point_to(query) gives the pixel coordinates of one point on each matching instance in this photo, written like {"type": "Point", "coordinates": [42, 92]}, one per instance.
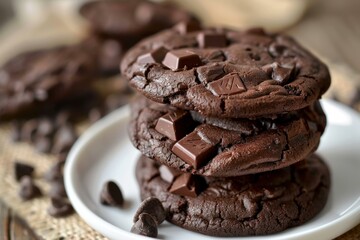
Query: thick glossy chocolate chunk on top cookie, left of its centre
{"type": "Point", "coordinates": [181, 59]}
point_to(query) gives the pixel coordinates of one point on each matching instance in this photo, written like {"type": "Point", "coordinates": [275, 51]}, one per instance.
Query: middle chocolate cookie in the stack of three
{"type": "Point", "coordinates": [224, 147]}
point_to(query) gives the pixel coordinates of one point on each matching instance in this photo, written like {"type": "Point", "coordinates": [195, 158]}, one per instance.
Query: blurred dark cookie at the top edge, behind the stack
{"type": "Point", "coordinates": [132, 20]}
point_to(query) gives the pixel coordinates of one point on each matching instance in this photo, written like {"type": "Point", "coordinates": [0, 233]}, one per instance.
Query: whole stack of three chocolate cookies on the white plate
{"type": "Point", "coordinates": [228, 127]}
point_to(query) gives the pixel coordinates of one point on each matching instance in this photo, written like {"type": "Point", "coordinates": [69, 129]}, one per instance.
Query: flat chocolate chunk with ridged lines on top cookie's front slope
{"type": "Point", "coordinates": [228, 85]}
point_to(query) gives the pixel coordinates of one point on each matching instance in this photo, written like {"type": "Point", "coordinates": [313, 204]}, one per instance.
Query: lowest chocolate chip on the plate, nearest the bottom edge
{"type": "Point", "coordinates": [145, 226]}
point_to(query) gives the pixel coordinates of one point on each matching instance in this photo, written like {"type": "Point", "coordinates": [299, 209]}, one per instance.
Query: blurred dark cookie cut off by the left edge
{"type": "Point", "coordinates": [35, 80]}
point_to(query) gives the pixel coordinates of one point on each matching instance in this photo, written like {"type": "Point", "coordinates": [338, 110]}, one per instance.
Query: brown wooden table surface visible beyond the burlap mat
{"type": "Point", "coordinates": [331, 28]}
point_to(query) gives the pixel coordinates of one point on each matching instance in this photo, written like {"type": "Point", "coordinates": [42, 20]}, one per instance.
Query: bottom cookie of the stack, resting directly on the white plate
{"type": "Point", "coordinates": [255, 204]}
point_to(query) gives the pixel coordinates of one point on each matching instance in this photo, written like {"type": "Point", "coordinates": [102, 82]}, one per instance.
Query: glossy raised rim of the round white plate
{"type": "Point", "coordinates": [351, 218]}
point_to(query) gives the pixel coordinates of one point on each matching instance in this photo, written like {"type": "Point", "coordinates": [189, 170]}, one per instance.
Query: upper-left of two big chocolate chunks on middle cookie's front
{"type": "Point", "coordinates": [175, 125]}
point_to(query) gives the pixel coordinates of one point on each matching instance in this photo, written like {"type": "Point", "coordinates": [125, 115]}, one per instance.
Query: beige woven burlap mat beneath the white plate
{"type": "Point", "coordinates": [34, 212]}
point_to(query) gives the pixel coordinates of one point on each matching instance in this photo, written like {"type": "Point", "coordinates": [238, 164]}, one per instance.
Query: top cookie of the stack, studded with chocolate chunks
{"type": "Point", "coordinates": [225, 73]}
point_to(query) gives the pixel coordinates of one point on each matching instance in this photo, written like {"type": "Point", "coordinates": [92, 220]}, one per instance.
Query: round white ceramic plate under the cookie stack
{"type": "Point", "coordinates": [104, 152]}
